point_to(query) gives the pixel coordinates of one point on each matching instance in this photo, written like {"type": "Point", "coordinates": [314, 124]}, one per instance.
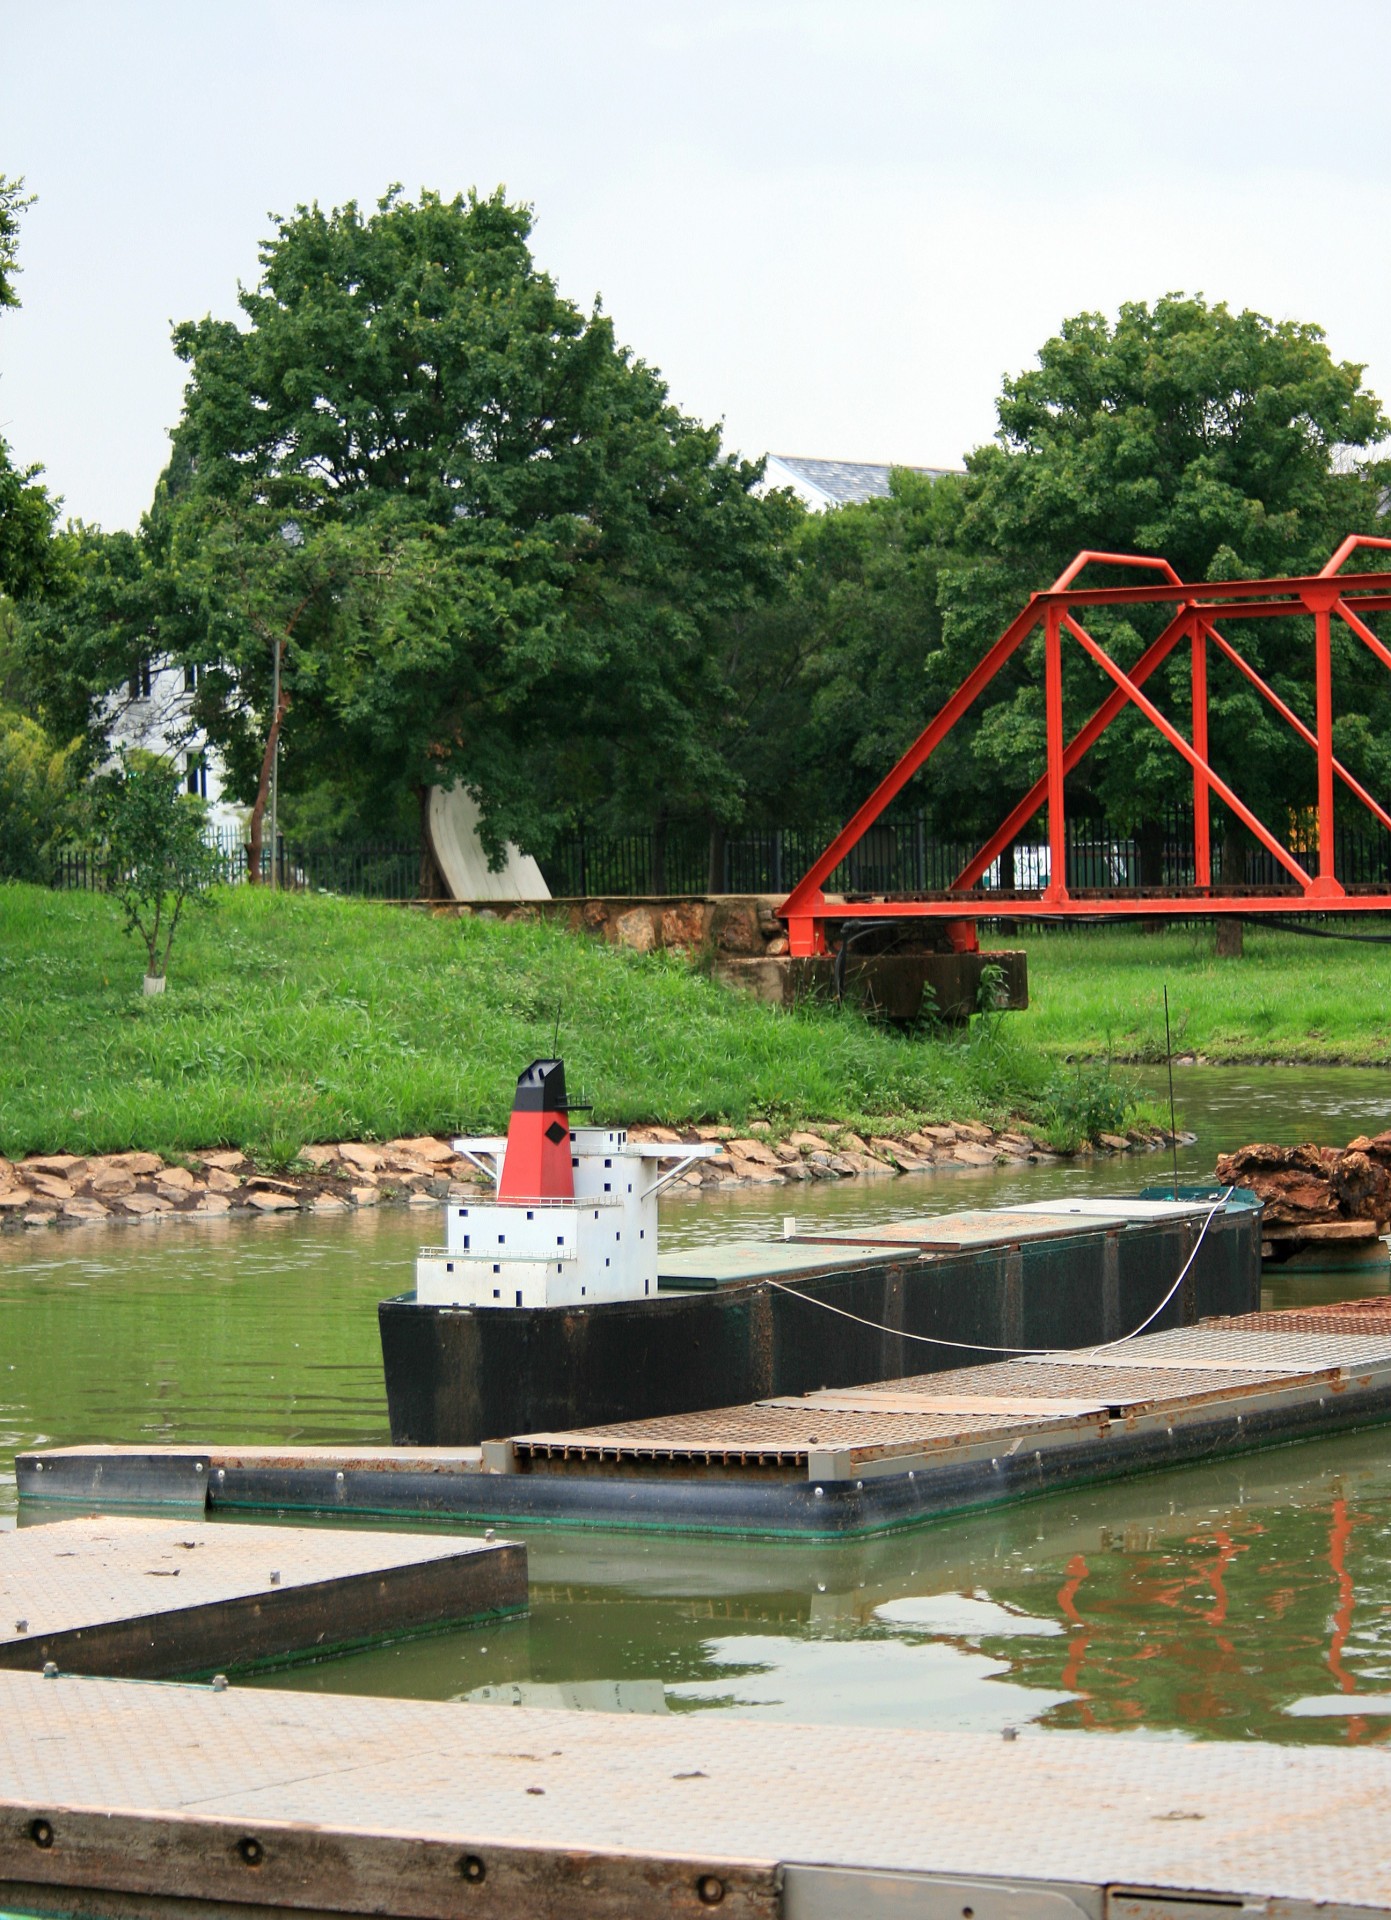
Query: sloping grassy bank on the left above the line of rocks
{"type": "Point", "coordinates": [295, 1020]}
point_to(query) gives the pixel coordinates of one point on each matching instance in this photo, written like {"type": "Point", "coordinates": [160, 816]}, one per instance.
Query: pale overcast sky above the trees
{"type": "Point", "coordinates": [831, 226]}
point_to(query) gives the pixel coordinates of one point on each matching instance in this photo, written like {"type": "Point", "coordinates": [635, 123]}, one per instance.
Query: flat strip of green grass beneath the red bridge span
{"type": "Point", "coordinates": [1102, 996]}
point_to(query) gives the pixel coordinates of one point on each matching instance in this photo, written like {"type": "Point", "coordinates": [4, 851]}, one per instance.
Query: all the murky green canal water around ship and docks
{"type": "Point", "coordinates": [1184, 1604]}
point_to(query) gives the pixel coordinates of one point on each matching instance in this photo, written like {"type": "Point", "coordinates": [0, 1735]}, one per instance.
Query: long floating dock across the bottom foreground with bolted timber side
{"type": "Point", "coordinates": [137, 1798]}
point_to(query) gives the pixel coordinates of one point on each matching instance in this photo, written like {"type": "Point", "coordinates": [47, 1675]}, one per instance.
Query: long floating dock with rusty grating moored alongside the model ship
{"type": "Point", "coordinates": [829, 1464]}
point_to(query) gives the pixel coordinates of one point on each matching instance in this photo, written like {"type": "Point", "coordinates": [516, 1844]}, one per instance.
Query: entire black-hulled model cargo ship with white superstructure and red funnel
{"type": "Point", "coordinates": [552, 1307]}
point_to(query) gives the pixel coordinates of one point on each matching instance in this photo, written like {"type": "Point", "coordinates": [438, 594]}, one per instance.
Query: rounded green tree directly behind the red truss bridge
{"type": "Point", "coordinates": [1221, 441]}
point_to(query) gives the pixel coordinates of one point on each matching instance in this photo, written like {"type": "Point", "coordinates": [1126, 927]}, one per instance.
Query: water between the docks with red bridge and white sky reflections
{"type": "Point", "coordinates": [1186, 1604]}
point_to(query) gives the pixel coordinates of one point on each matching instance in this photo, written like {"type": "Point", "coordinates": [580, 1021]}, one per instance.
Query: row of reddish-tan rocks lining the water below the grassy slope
{"type": "Point", "coordinates": [72, 1189]}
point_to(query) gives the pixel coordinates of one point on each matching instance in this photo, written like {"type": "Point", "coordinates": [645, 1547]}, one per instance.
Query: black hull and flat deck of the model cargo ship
{"type": "Point", "coordinates": [741, 1324]}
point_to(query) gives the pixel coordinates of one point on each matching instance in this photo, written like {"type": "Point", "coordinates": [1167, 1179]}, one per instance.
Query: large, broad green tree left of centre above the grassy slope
{"type": "Point", "coordinates": [464, 525]}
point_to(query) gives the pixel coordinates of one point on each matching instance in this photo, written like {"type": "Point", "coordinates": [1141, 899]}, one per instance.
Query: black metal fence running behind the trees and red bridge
{"type": "Point", "coordinates": [894, 857]}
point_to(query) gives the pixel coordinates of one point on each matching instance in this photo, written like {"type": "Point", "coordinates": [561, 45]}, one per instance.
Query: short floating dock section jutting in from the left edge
{"type": "Point", "coordinates": [159, 1598]}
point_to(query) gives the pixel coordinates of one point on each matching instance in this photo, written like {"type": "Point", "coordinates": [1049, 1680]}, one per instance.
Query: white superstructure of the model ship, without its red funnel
{"type": "Point", "coordinates": [602, 1245]}
